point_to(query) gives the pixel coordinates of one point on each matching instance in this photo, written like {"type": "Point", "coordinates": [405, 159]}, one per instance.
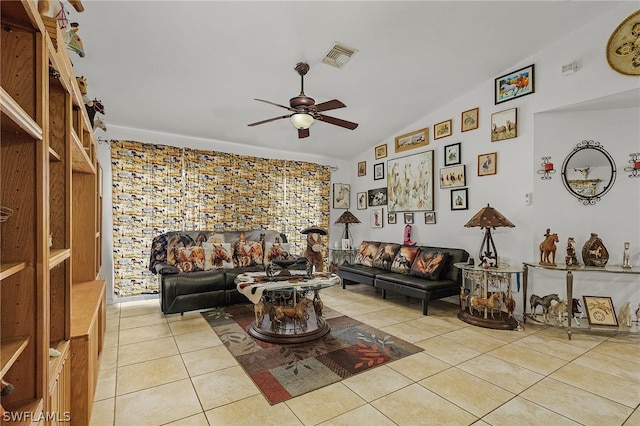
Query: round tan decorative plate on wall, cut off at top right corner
{"type": "Point", "coordinates": [623, 48]}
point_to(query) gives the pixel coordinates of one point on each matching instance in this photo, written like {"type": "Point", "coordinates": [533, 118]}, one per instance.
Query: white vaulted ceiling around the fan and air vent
{"type": "Point", "coordinates": [193, 67]}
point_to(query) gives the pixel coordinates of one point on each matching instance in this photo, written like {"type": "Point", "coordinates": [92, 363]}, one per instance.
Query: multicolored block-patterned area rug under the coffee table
{"type": "Point", "coordinates": [286, 371]}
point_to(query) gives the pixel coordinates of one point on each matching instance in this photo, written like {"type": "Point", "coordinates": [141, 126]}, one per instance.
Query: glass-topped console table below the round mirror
{"type": "Point", "coordinates": [613, 269]}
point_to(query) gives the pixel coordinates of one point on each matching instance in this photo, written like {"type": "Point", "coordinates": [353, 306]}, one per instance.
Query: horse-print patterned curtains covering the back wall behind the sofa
{"type": "Point", "coordinates": [158, 188]}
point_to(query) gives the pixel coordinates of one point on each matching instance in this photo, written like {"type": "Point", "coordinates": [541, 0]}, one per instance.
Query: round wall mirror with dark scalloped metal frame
{"type": "Point", "coordinates": [588, 172]}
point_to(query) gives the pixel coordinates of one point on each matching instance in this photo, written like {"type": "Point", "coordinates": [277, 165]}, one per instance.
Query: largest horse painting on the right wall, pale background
{"type": "Point", "coordinates": [410, 182]}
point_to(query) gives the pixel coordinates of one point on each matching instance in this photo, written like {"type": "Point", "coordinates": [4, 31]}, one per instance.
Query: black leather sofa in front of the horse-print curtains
{"type": "Point", "coordinates": [197, 269]}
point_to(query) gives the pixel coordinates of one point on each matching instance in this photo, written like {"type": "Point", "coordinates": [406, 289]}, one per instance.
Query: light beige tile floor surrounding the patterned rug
{"type": "Point", "coordinates": [174, 370]}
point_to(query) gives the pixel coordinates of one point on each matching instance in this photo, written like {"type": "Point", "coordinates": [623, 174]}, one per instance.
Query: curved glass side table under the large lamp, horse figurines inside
{"type": "Point", "coordinates": [477, 283]}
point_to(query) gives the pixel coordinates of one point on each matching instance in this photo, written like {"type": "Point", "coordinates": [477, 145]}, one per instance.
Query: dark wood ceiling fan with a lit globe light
{"type": "Point", "coordinates": [305, 111]}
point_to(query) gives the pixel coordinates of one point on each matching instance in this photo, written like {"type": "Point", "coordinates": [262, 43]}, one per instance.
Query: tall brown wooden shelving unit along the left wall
{"type": "Point", "coordinates": [49, 246]}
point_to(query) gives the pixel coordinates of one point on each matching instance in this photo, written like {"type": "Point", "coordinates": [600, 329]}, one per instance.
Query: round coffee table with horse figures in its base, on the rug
{"type": "Point", "coordinates": [288, 309]}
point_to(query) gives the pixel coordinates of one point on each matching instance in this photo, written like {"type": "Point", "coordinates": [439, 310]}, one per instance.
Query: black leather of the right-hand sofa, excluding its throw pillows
{"type": "Point", "coordinates": [381, 275]}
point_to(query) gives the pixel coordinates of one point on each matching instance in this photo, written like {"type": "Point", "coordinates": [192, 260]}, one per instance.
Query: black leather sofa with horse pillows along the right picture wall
{"type": "Point", "coordinates": [423, 272]}
